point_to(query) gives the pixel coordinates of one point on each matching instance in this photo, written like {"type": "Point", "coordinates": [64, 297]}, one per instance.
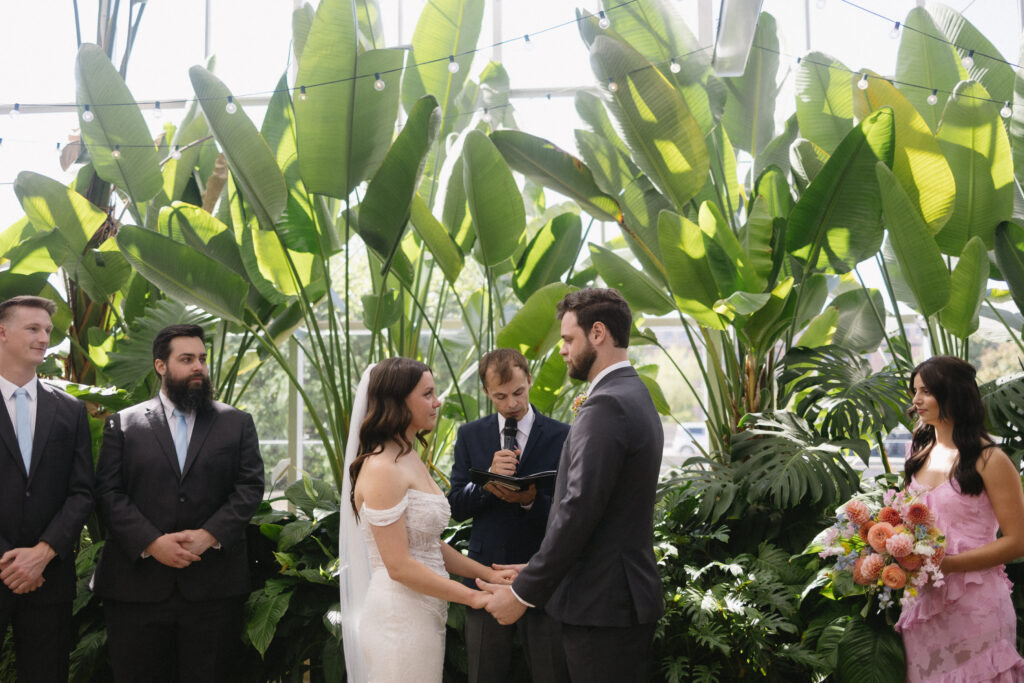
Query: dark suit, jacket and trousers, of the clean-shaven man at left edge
{"type": "Point", "coordinates": [50, 503]}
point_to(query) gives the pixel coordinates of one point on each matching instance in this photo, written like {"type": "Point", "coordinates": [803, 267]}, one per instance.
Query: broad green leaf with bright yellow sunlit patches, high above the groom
{"type": "Point", "coordinates": [665, 139]}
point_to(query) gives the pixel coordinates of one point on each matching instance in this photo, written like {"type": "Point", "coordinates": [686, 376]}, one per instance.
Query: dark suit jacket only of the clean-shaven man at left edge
{"type": "Point", "coordinates": [54, 500]}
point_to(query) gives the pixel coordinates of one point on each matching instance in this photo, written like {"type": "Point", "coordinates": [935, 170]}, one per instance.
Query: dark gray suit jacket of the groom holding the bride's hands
{"type": "Point", "coordinates": [596, 565]}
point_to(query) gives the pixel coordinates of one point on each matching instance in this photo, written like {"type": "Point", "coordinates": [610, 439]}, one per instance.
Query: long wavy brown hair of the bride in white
{"type": "Point", "coordinates": [388, 418]}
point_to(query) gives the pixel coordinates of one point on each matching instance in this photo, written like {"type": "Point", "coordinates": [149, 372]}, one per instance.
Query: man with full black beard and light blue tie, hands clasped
{"type": "Point", "coordinates": [179, 480]}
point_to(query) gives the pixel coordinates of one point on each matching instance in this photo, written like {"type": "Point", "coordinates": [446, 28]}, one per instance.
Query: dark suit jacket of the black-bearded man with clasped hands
{"type": "Point", "coordinates": [142, 496]}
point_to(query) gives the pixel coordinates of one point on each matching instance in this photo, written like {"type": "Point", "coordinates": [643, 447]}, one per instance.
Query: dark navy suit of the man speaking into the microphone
{"type": "Point", "coordinates": [506, 534]}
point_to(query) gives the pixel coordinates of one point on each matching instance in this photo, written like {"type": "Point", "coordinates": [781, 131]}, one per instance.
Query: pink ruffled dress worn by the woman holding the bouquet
{"type": "Point", "coordinates": [964, 631]}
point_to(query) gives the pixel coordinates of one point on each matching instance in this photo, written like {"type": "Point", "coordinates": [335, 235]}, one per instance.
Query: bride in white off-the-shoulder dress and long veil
{"type": "Point", "coordinates": [395, 568]}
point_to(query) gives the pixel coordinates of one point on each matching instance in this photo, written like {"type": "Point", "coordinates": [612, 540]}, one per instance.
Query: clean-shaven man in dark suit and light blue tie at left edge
{"type": "Point", "coordinates": [46, 495]}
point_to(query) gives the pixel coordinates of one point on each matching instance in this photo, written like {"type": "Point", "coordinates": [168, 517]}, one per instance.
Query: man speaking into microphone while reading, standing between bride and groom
{"type": "Point", "coordinates": [508, 526]}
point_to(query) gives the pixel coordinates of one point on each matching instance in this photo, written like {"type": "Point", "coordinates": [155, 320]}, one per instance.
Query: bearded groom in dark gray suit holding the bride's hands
{"type": "Point", "coordinates": [595, 571]}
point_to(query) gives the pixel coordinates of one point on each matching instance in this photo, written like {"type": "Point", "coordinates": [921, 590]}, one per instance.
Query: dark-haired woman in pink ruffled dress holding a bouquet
{"type": "Point", "coordinates": [964, 630]}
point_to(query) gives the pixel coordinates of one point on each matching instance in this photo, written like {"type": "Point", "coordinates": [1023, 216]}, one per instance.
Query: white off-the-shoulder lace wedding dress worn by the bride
{"type": "Point", "coordinates": [402, 632]}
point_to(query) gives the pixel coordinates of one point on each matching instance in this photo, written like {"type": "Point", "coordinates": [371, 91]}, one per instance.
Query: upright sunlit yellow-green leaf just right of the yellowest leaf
{"type": "Point", "coordinates": [975, 143]}
